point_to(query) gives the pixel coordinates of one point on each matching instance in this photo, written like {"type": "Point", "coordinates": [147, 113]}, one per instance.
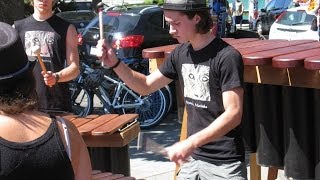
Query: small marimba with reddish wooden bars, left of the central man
{"type": "Point", "coordinates": [107, 137]}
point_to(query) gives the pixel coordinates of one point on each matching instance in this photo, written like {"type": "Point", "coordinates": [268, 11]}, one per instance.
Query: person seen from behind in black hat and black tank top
{"type": "Point", "coordinates": [33, 145]}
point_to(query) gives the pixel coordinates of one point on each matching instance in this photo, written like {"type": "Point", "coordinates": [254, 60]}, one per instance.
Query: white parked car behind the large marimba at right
{"type": "Point", "coordinates": [295, 24]}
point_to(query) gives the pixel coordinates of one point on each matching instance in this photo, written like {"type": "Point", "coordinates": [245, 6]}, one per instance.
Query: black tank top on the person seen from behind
{"type": "Point", "coordinates": [44, 158]}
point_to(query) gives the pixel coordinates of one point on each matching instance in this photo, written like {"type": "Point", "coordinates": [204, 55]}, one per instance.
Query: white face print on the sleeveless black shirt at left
{"type": "Point", "coordinates": [43, 39]}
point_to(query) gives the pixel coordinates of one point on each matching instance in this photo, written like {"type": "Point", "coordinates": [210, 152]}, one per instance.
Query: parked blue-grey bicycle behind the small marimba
{"type": "Point", "coordinates": [116, 97]}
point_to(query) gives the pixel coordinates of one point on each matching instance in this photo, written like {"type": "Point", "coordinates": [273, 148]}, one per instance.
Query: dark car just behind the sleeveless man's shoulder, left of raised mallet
{"type": "Point", "coordinates": [80, 19]}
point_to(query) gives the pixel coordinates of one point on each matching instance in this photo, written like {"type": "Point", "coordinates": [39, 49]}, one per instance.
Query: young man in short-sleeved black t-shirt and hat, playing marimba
{"type": "Point", "coordinates": [210, 73]}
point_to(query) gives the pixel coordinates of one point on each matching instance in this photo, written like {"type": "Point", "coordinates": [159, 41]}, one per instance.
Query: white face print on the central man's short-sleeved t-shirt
{"type": "Point", "coordinates": [196, 82]}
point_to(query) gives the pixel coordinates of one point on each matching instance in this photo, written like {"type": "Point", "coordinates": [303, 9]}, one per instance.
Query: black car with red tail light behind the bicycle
{"type": "Point", "coordinates": [129, 29]}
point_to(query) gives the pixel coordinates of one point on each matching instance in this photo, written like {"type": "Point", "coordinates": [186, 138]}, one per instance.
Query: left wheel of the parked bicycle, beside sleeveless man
{"type": "Point", "coordinates": [81, 99]}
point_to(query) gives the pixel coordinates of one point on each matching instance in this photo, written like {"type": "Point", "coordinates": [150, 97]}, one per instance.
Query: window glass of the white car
{"type": "Point", "coordinates": [295, 18]}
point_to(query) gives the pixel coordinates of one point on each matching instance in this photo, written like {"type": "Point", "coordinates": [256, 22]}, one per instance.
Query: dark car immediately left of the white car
{"type": "Point", "coordinates": [269, 14]}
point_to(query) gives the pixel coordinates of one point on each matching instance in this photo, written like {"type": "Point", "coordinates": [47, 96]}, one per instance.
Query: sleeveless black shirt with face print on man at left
{"type": "Point", "coordinates": [50, 36]}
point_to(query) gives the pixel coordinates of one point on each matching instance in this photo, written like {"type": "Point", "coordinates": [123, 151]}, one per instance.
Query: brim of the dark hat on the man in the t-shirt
{"type": "Point", "coordinates": [185, 7]}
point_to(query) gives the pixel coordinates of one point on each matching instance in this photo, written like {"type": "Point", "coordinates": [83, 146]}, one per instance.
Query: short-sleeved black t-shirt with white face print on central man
{"type": "Point", "coordinates": [204, 75]}
